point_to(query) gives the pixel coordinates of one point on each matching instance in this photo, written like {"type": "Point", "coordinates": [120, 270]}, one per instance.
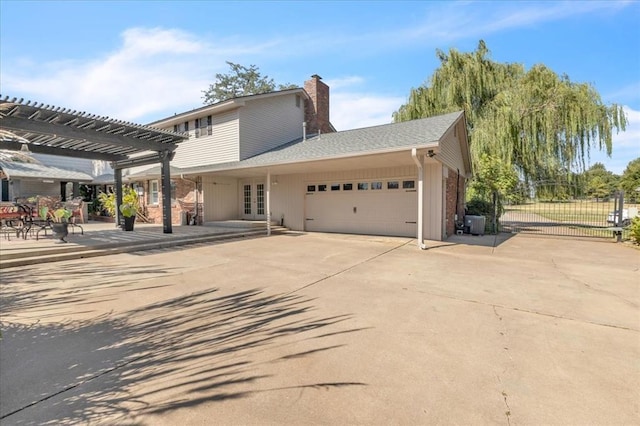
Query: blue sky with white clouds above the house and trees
{"type": "Point", "coordinates": [144, 61]}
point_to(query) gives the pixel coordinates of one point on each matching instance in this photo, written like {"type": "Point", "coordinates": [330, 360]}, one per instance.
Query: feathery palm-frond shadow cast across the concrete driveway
{"type": "Point", "coordinates": [198, 348]}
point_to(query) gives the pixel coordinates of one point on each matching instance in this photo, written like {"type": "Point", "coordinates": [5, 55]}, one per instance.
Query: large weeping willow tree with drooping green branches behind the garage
{"type": "Point", "coordinates": [536, 121]}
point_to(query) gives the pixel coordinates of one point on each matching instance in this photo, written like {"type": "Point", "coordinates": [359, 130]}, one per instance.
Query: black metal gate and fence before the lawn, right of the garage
{"type": "Point", "coordinates": [560, 210]}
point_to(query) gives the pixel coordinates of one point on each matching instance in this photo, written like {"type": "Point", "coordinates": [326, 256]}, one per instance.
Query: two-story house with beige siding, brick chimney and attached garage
{"type": "Point", "coordinates": [277, 157]}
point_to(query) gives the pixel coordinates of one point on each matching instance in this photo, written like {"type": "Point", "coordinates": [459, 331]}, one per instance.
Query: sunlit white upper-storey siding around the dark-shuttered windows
{"type": "Point", "coordinates": [220, 147]}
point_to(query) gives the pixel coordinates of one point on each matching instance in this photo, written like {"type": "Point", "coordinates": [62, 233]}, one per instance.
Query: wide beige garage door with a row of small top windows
{"type": "Point", "coordinates": [374, 207]}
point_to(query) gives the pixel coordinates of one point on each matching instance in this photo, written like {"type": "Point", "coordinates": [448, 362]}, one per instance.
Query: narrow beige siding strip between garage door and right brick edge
{"type": "Point", "coordinates": [433, 194]}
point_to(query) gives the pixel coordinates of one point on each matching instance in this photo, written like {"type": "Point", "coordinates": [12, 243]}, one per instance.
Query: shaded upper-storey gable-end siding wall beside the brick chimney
{"type": "Point", "coordinates": [268, 123]}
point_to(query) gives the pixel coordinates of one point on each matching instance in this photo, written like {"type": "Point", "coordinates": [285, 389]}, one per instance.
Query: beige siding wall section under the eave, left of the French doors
{"type": "Point", "coordinates": [220, 198]}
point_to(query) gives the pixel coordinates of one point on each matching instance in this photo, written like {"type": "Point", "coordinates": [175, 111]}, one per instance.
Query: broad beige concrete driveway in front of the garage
{"type": "Point", "coordinates": [327, 329]}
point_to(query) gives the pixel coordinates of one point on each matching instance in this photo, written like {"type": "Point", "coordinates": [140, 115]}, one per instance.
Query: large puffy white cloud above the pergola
{"type": "Point", "coordinates": [155, 72]}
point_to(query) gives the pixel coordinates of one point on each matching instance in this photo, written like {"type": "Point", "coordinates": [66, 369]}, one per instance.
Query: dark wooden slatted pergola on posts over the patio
{"type": "Point", "coordinates": [53, 130]}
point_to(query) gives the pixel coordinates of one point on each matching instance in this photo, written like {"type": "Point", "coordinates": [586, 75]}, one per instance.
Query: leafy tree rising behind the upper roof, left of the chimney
{"type": "Point", "coordinates": [240, 81]}
